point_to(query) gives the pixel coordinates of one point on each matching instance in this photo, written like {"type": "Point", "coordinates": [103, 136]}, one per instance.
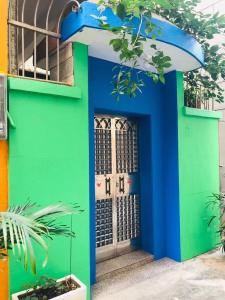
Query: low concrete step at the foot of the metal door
{"type": "Point", "coordinates": [123, 263]}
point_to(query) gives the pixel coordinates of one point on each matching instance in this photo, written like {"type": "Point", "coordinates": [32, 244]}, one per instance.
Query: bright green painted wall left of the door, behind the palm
{"type": "Point", "coordinates": [49, 162]}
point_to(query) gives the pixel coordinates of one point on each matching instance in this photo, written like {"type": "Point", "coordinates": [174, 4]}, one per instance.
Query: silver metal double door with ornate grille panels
{"type": "Point", "coordinates": [116, 186]}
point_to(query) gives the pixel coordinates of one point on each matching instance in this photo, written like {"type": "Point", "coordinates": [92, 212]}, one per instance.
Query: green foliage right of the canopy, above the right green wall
{"type": "Point", "coordinates": [202, 84]}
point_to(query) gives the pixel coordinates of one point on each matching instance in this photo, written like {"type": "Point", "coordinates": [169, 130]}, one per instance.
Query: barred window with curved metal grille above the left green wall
{"type": "Point", "coordinates": [35, 47]}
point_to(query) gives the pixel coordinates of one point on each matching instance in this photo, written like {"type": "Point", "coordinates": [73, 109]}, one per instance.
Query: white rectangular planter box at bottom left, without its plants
{"type": "Point", "coordinates": [78, 294]}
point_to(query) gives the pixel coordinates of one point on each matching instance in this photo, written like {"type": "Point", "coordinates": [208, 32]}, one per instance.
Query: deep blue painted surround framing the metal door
{"type": "Point", "coordinates": [156, 110]}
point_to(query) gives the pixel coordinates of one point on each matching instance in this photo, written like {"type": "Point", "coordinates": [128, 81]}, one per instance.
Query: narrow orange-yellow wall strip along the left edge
{"type": "Point", "coordinates": [3, 144]}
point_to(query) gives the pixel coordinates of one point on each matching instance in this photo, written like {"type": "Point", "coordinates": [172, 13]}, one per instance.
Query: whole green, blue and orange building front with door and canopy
{"type": "Point", "coordinates": [140, 169]}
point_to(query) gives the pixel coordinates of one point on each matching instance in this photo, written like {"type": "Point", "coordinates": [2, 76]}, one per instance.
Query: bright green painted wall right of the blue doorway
{"type": "Point", "coordinates": [198, 176]}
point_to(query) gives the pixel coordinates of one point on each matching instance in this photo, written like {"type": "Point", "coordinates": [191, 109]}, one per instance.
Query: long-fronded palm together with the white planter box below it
{"type": "Point", "coordinates": [20, 226]}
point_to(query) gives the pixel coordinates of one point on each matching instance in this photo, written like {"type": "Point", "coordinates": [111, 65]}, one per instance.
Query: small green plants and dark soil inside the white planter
{"type": "Point", "coordinates": [47, 288]}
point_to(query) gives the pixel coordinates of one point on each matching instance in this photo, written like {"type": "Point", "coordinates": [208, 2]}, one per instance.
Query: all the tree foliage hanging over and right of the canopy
{"type": "Point", "coordinates": [129, 43]}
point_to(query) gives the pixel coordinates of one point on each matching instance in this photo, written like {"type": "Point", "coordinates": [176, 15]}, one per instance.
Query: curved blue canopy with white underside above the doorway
{"type": "Point", "coordinates": [186, 53]}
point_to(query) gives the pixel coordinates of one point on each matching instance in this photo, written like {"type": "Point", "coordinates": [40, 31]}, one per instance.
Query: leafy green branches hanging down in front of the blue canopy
{"type": "Point", "coordinates": [129, 44]}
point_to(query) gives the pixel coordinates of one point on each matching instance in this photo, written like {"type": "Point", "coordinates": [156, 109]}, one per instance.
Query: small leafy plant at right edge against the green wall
{"type": "Point", "coordinates": [217, 202]}
